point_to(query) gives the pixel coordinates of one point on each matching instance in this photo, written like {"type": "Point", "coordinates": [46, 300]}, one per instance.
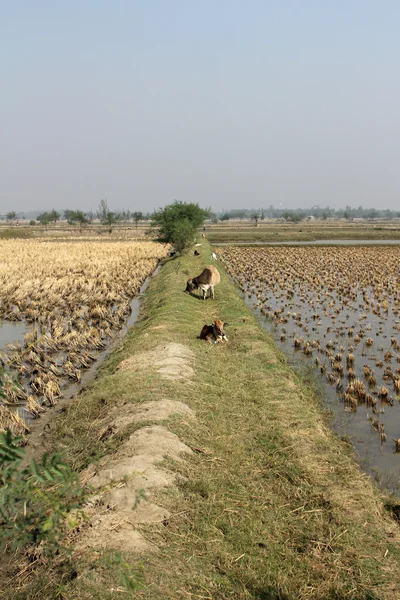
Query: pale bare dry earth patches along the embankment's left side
{"type": "Point", "coordinates": [134, 471]}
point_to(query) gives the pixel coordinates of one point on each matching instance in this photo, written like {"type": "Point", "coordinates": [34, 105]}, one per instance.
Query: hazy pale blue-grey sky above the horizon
{"type": "Point", "coordinates": [228, 103]}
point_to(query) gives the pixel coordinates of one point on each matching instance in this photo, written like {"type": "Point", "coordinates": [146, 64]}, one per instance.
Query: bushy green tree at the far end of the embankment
{"type": "Point", "coordinates": [177, 223]}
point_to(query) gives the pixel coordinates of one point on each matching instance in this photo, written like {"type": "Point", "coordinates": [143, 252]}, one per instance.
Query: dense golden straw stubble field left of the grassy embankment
{"type": "Point", "coordinates": [73, 296]}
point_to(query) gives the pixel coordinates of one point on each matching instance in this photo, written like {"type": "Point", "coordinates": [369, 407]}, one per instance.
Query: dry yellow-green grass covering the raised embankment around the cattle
{"type": "Point", "coordinates": [270, 504]}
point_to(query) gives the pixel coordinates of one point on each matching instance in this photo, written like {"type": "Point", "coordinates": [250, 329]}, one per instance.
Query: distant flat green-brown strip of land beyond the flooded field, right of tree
{"type": "Point", "coordinates": [302, 232]}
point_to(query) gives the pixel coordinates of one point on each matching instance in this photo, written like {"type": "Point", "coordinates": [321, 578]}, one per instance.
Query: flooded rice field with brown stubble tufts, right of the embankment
{"type": "Point", "coordinates": [337, 309]}
